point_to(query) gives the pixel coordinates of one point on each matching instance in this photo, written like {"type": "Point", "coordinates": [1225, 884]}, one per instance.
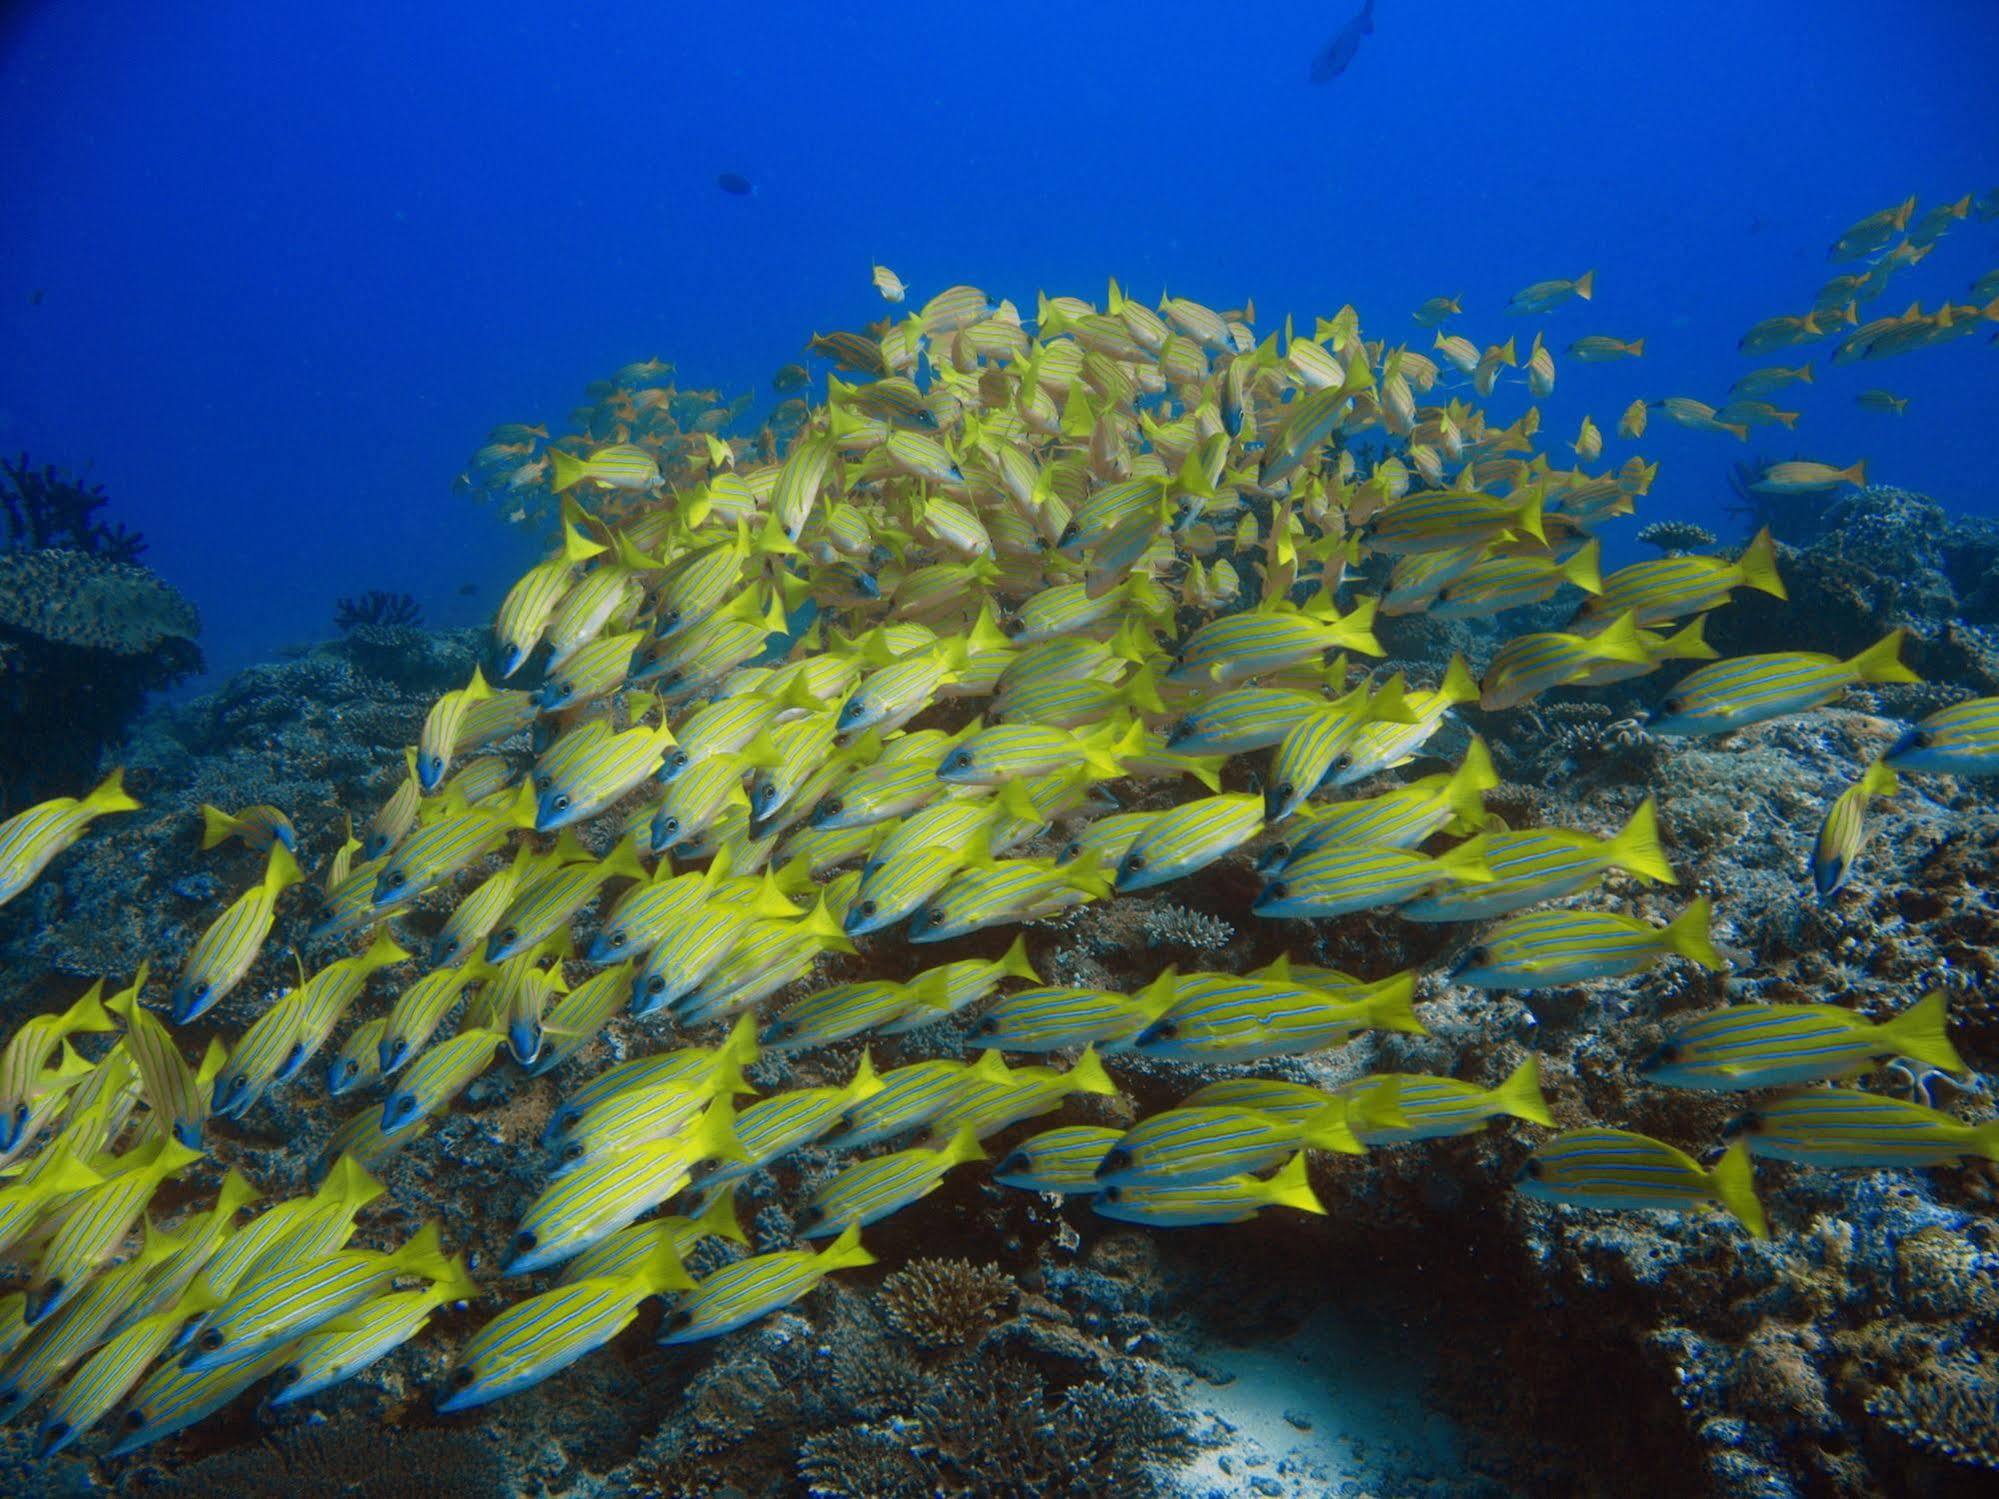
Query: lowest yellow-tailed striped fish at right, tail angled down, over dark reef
{"type": "Point", "coordinates": [1616, 1168]}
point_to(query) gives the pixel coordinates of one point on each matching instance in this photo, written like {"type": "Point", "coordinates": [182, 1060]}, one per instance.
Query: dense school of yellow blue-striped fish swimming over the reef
{"type": "Point", "coordinates": [1002, 629]}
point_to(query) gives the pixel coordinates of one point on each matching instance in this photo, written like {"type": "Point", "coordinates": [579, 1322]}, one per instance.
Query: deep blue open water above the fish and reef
{"type": "Point", "coordinates": [295, 261]}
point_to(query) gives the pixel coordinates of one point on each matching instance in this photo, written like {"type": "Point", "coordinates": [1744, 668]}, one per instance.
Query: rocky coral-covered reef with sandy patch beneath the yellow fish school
{"type": "Point", "coordinates": [1434, 1336]}
